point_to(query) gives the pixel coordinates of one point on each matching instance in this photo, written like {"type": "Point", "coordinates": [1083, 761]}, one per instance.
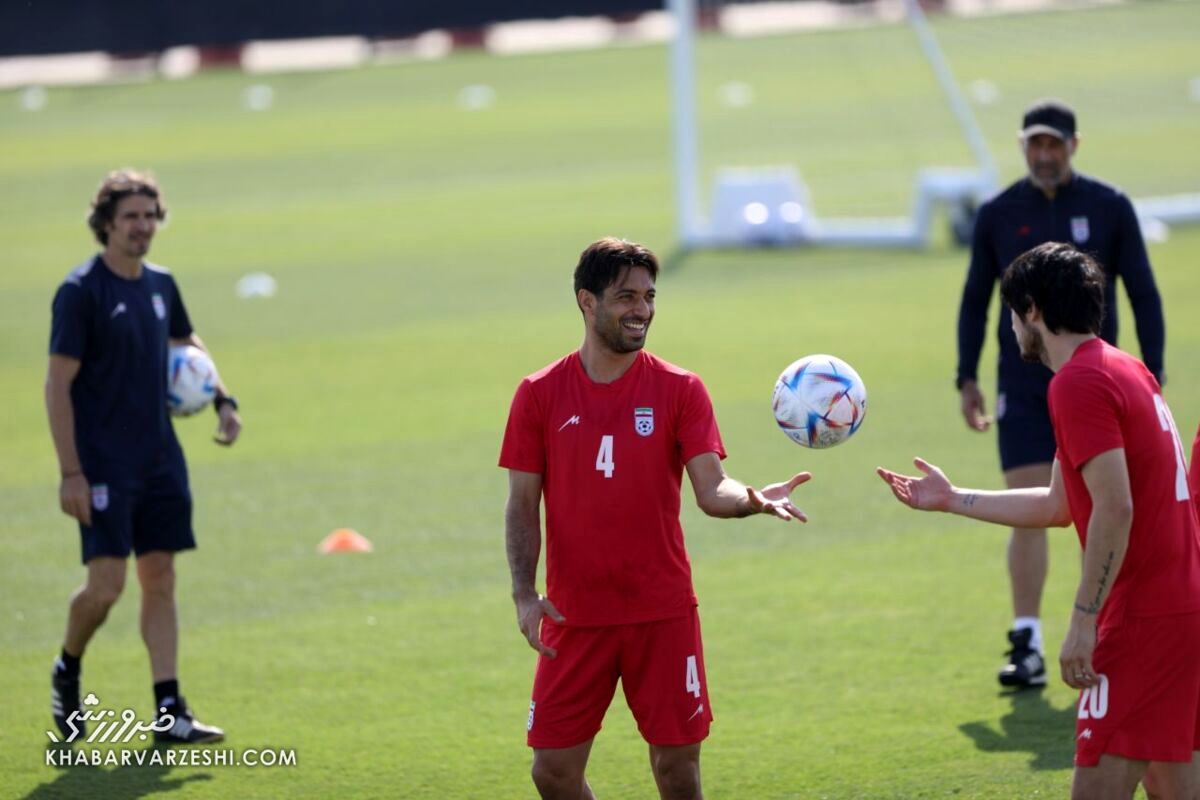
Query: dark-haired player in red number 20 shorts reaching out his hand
{"type": "Point", "coordinates": [1133, 645]}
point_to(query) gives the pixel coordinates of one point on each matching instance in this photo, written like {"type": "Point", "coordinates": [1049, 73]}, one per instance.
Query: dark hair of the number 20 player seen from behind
{"type": "Point", "coordinates": [1066, 286]}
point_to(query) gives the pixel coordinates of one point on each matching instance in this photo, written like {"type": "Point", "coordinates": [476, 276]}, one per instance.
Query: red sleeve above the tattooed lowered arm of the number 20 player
{"type": "Point", "coordinates": [1088, 417]}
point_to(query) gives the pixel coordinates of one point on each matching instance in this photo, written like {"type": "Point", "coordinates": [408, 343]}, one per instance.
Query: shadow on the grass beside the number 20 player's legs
{"type": "Point", "coordinates": [1033, 726]}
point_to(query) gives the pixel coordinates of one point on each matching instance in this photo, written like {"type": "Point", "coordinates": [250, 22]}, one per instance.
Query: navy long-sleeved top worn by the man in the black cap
{"type": "Point", "coordinates": [1094, 216]}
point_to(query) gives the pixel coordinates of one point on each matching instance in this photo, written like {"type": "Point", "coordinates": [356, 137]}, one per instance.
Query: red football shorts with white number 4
{"type": "Point", "coordinates": [661, 666]}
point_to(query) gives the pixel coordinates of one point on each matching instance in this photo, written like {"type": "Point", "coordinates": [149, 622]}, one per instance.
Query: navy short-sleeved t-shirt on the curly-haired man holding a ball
{"type": "Point", "coordinates": [119, 329]}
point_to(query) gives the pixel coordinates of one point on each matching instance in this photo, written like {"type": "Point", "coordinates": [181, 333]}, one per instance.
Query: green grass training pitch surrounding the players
{"type": "Point", "coordinates": [424, 258]}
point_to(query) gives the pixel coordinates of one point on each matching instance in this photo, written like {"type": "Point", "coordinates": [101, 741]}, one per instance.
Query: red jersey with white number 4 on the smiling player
{"type": "Point", "coordinates": [611, 458]}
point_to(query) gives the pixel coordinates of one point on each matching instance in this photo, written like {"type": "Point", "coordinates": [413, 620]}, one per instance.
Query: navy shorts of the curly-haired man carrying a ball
{"type": "Point", "coordinates": [140, 515]}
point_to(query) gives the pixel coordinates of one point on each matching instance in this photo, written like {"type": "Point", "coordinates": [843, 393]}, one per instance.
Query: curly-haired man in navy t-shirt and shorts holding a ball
{"type": "Point", "coordinates": [124, 477]}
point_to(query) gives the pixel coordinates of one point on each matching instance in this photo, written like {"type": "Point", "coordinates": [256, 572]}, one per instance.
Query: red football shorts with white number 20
{"type": "Point", "coordinates": [1148, 705]}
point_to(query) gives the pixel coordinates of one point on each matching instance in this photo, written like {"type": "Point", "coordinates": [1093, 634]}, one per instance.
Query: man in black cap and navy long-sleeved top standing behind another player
{"type": "Point", "coordinates": [1053, 203]}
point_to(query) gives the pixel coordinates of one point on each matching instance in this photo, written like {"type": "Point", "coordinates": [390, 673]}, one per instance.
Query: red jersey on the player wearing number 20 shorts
{"type": "Point", "coordinates": [1101, 400]}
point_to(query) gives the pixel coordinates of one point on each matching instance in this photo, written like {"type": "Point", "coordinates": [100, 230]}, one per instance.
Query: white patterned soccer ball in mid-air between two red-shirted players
{"type": "Point", "coordinates": [820, 401]}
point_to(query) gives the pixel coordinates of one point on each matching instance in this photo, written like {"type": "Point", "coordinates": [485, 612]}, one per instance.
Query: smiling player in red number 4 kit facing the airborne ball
{"type": "Point", "coordinates": [603, 436]}
